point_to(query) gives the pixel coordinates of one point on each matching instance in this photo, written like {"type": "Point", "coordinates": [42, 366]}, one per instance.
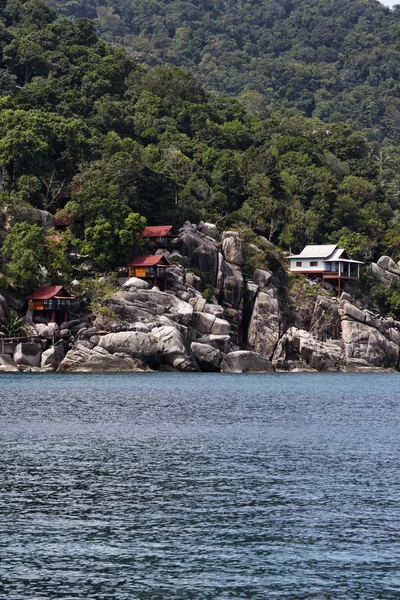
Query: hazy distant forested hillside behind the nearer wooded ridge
{"type": "Point", "coordinates": [338, 60]}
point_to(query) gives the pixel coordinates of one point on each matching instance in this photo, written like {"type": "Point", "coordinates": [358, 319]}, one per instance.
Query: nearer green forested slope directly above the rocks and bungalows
{"type": "Point", "coordinates": [87, 131]}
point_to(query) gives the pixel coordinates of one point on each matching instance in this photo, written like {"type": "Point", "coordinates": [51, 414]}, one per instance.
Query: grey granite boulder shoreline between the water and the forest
{"type": "Point", "coordinates": [243, 323]}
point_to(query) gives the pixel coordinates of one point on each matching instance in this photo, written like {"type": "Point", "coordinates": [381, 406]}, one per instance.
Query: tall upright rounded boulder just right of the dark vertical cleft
{"type": "Point", "coordinates": [264, 327]}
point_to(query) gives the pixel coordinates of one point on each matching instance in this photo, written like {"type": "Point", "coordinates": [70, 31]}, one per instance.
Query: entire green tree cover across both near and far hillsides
{"type": "Point", "coordinates": [86, 131]}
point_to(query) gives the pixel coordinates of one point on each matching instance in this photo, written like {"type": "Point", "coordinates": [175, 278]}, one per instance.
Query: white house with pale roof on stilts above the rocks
{"type": "Point", "coordinates": [325, 262]}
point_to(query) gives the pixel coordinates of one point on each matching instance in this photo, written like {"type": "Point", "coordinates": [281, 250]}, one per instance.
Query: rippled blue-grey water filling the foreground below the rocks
{"type": "Point", "coordinates": [159, 486]}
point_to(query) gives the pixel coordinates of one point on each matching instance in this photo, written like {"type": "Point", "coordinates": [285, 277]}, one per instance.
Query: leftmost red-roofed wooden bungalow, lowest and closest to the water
{"type": "Point", "coordinates": [51, 302]}
